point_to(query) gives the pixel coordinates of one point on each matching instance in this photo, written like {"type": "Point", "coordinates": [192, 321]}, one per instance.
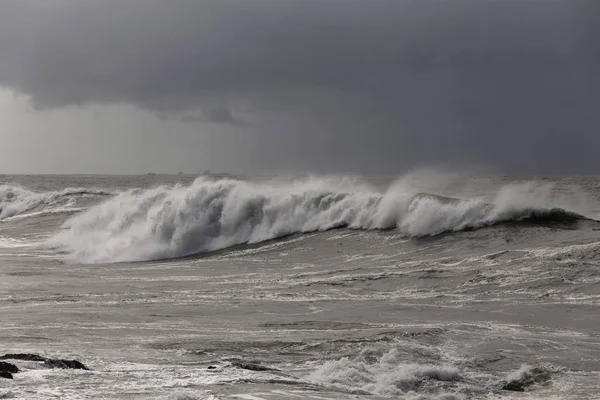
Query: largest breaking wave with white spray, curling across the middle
{"type": "Point", "coordinates": [168, 222]}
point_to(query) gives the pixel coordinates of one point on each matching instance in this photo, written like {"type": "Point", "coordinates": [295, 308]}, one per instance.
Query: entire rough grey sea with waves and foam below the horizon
{"type": "Point", "coordinates": [429, 286]}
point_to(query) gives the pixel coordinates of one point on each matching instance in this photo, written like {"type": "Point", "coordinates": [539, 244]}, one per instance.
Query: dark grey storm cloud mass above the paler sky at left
{"type": "Point", "coordinates": [481, 80]}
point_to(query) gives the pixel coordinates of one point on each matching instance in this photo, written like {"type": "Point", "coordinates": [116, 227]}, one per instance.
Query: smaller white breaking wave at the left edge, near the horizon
{"type": "Point", "coordinates": [16, 200]}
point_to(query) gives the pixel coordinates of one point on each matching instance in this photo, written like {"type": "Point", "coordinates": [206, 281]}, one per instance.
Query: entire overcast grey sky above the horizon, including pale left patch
{"type": "Point", "coordinates": [249, 86]}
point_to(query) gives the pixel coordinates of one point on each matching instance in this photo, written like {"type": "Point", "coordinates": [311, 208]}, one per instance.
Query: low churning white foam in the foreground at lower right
{"type": "Point", "coordinates": [386, 374]}
